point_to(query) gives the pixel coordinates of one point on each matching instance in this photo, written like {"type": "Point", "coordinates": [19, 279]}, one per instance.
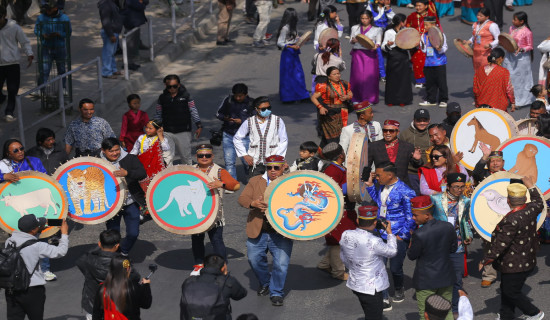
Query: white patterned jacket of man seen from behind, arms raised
{"type": "Point", "coordinates": [363, 254]}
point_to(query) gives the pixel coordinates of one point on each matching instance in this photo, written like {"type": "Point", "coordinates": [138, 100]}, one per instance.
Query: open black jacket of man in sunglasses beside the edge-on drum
{"type": "Point", "coordinates": [378, 154]}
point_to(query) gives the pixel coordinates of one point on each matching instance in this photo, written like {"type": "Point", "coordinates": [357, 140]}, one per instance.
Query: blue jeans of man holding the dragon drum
{"type": "Point", "coordinates": [281, 249]}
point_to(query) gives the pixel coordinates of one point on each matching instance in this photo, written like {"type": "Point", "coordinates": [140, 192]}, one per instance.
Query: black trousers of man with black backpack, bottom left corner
{"type": "Point", "coordinates": [29, 303]}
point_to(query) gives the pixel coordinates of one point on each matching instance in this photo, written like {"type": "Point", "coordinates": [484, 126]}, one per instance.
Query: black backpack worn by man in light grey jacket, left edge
{"type": "Point", "coordinates": [14, 275]}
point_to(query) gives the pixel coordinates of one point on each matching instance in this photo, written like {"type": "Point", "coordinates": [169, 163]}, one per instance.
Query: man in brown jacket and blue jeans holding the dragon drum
{"type": "Point", "coordinates": [261, 235]}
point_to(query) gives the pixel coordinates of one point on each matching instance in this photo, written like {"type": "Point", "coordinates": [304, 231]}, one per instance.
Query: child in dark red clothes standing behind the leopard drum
{"type": "Point", "coordinates": [133, 122]}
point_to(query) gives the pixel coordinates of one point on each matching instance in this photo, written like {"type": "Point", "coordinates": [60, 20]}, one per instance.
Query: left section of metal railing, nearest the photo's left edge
{"type": "Point", "coordinates": [61, 99]}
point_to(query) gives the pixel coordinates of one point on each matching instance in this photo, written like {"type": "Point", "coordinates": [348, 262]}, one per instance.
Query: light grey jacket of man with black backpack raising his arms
{"type": "Point", "coordinates": [33, 253]}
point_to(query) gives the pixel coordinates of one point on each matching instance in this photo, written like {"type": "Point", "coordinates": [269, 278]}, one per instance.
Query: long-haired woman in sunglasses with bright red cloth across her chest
{"type": "Point", "coordinates": [434, 175]}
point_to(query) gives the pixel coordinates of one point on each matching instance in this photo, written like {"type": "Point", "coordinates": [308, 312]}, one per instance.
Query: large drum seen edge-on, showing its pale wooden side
{"type": "Point", "coordinates": [356, 160]}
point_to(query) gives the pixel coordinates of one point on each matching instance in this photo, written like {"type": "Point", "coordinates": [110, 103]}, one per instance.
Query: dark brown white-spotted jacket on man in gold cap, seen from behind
{"type": "Point", "coordinates": [514, 242]}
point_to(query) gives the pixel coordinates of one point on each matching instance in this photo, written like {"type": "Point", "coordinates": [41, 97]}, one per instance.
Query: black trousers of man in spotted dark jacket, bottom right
{"type": "Point", "coordinates": [511, 296]}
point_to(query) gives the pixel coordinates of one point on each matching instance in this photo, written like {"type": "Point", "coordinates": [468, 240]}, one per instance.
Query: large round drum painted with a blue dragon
{"type": "Point", "coordinates": [304, 205]}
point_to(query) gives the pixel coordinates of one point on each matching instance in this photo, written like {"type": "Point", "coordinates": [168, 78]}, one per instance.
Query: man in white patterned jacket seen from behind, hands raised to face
{"type": "Point", "coordinates": [363, 252]}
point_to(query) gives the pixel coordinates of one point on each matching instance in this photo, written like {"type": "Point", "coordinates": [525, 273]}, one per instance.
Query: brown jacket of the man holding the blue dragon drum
{"type": "Point", "coordinates": [256, 218]}
